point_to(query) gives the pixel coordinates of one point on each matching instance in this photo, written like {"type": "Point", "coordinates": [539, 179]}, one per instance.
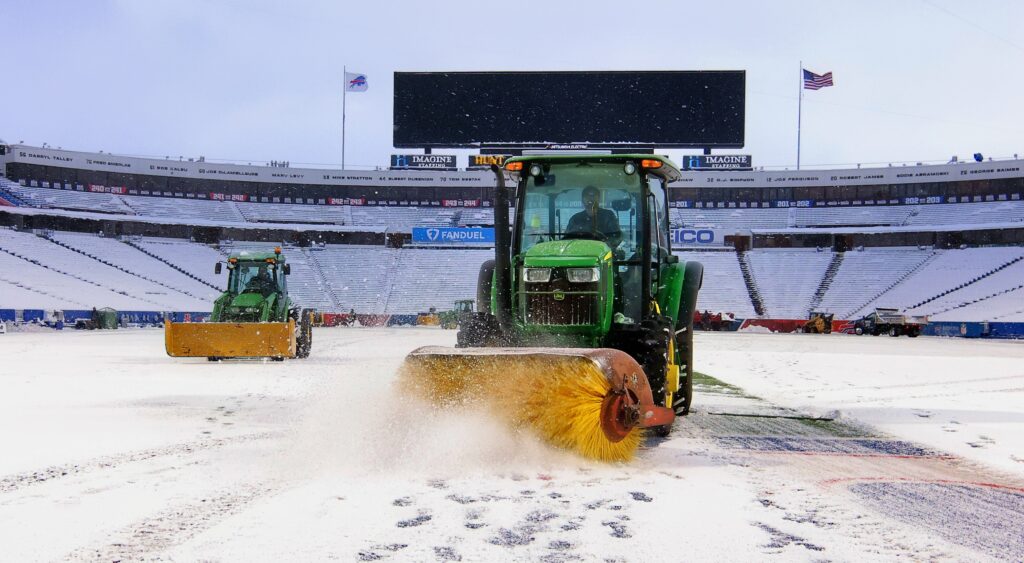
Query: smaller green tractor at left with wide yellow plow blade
{"type": "Point", "coordinates": [254, 318]}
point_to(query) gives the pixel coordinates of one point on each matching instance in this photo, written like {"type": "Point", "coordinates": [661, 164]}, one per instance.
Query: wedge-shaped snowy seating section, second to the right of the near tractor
{"type": "Point", "coordinates": [788, 279]}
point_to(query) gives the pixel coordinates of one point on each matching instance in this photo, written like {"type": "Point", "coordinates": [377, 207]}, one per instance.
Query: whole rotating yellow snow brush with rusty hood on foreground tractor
{"type": "Point", "coordinates": [592, 402]}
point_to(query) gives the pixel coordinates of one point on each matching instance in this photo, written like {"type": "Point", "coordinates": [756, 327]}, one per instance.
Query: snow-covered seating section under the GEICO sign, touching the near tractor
{"type": "Point", "coordinates": [724, 290]}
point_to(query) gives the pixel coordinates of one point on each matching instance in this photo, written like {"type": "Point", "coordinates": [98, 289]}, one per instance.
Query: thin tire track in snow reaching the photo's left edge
{"type": "Point", "coordinates": [21, 481]}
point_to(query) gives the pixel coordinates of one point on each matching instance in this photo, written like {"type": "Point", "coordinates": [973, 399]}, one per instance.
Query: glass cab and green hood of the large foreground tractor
{"type": "Point", "coordinates": [590, 240]}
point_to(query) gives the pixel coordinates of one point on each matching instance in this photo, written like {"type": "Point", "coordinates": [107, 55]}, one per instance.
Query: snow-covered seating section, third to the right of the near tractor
{"type": "Point", "coordinates": [866, 275]}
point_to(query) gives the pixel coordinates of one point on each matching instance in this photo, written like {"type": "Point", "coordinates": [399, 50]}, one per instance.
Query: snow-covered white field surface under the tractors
{"type": "Point", "coordinates": [112, 451]}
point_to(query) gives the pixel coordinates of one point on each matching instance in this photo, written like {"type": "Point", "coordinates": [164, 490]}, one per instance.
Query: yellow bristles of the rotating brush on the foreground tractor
{"type": "Point", "coordinates": [560, 399]}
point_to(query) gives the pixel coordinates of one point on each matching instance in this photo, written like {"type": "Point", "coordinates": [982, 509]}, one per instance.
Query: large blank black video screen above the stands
{"type": "Point", "coordinates": [676, 109]}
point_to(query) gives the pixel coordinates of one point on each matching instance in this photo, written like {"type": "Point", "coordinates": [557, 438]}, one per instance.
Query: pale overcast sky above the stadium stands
{"type": "Point", "coordinates": [253, 81]}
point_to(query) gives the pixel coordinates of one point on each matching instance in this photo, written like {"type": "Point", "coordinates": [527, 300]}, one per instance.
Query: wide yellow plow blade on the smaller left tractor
{"type": "Point", "coordinates": [230, 339]}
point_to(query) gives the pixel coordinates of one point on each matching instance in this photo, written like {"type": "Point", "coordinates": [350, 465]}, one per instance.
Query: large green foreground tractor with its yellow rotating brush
{"type": "Point", "coordinates": [584, 322]}
